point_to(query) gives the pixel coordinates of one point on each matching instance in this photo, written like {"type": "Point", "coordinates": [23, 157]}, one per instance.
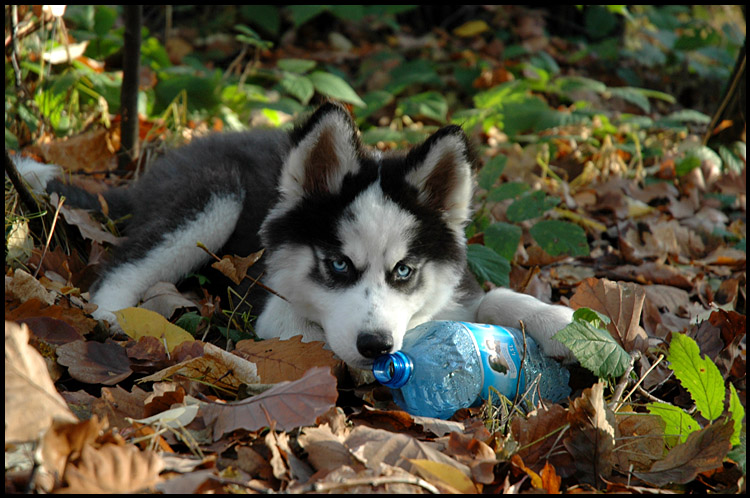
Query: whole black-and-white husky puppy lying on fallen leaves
{"type": "Point", "coordinates": [361, 245]}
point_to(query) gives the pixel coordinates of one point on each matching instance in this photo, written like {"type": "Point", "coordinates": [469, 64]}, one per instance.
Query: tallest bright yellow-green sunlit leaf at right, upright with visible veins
{"type": "Point", "coordinates": [699, 376]}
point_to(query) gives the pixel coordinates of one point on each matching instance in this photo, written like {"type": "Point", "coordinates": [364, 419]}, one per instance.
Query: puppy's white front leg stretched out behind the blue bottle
{"type": "Point", "coordinates": [541, 321]}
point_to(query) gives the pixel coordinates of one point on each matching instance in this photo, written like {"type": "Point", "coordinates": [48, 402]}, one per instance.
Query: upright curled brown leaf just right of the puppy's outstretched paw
{"type": "Point", "coordinates": [621, 302]}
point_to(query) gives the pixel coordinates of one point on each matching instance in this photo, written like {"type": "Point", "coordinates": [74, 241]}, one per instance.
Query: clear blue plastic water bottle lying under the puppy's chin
{"type": "Point", "coordinates": [443, 366]}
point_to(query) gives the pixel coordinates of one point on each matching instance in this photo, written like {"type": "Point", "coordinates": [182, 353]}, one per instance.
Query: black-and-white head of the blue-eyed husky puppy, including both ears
{"type": "Point", "coordinates": [363, 244]}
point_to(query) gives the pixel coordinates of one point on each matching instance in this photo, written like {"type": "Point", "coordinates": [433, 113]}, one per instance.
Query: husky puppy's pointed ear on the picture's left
{"type": "Point", "coordinates": [324, 150]}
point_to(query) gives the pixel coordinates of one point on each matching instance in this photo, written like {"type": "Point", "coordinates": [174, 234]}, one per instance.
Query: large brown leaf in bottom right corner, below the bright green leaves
{"type": "Point", "coordinates": [703, 450]}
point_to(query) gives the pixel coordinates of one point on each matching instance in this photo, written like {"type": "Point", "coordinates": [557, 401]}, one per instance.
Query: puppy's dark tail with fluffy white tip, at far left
{"type": "Point", "coordinates": [48, 178]}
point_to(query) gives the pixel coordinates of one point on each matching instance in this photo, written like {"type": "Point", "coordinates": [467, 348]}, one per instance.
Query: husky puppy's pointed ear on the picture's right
{"type": "Point", "coordinates": [440, 169]}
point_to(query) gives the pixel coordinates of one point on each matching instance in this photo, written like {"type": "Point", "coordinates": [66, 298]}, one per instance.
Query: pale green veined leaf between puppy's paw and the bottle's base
{"type": "Point", "coordinates": [594, 348]}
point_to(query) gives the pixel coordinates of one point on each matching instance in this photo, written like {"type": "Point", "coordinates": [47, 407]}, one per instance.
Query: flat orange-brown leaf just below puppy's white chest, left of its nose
{"type": "Point", "coordinates": [279, 360]}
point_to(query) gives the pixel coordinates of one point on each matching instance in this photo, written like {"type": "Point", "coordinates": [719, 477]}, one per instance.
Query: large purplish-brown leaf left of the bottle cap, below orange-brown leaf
{"type": "Point", "coordinates": [290, 404]}
